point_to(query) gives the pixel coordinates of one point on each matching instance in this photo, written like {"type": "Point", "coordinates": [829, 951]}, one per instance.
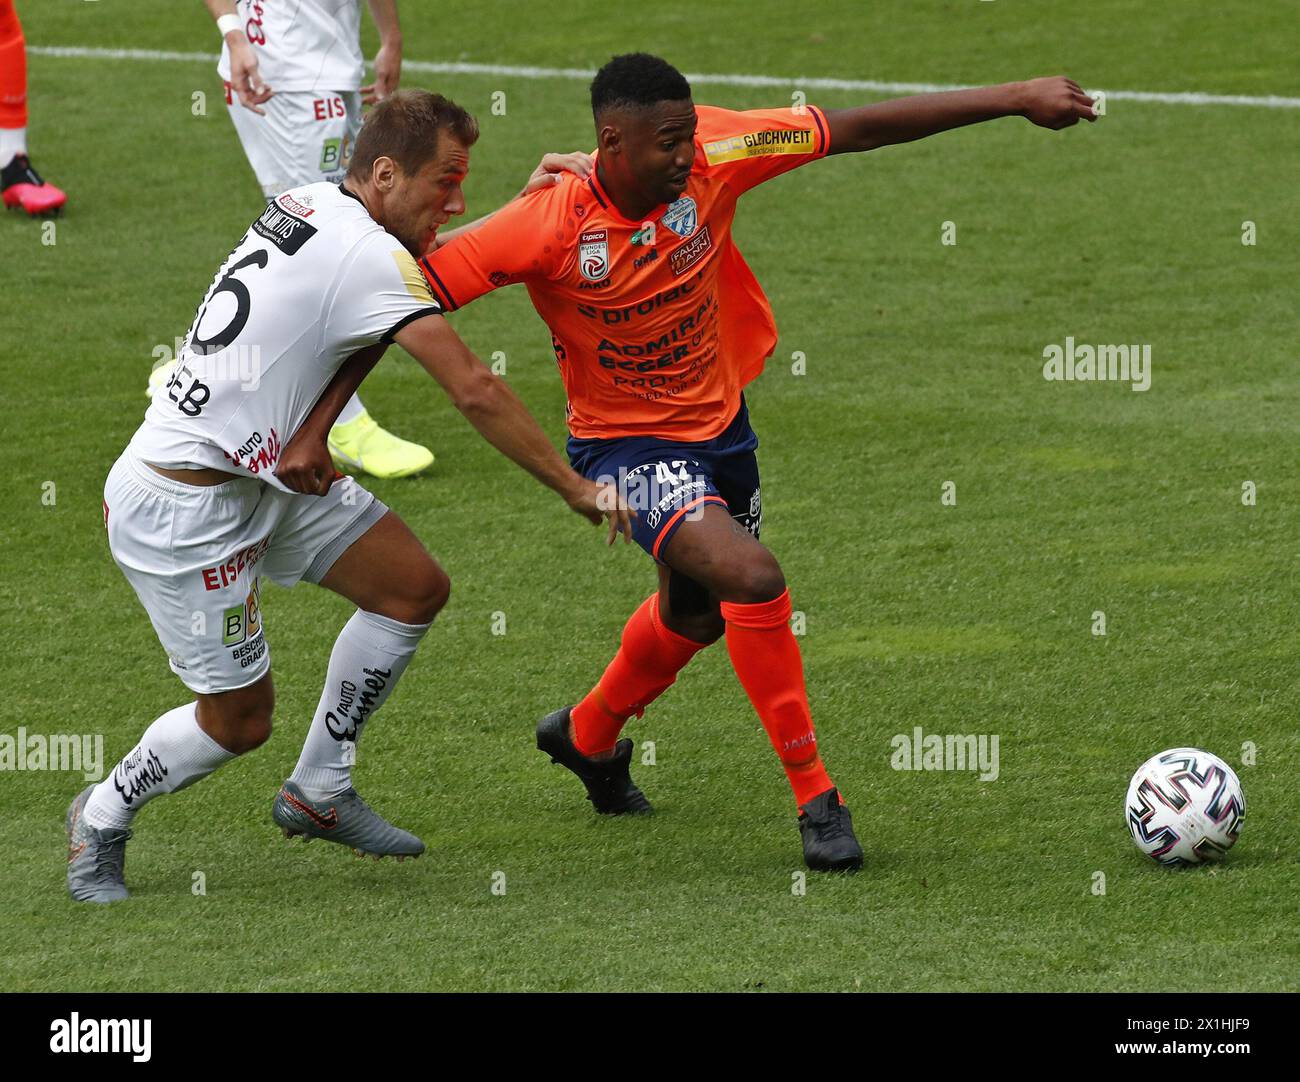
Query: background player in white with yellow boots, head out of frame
{"type": "Point", "coordinates": [293, 72]}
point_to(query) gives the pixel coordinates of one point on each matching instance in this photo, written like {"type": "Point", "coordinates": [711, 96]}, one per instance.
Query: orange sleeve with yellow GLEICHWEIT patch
{"type": "Point", "coordinates": [748, 149]}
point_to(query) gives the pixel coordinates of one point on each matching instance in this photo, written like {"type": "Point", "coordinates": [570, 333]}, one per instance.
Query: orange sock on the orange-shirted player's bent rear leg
{"type": "Point", "coordinates": [645, 668]}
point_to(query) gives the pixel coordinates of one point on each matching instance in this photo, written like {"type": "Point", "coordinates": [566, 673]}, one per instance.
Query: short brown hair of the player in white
{"type": "Point", "coordinates": [409, 128]}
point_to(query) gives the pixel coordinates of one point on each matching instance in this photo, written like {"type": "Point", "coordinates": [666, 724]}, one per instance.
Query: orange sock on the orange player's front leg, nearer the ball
{"type": "Point", "coordinates": [768, 661]}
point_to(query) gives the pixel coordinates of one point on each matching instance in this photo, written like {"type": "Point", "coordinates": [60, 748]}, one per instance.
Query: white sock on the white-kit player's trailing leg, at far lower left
{"type": "Point", "coordinates": [174, 754]}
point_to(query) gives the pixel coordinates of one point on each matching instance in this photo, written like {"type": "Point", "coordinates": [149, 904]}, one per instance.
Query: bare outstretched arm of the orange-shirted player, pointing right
{"type": "Point", "coordinates": [1054, 102]}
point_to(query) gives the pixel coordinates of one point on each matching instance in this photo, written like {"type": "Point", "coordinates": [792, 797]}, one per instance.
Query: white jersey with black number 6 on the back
{"type": "Point", "coordinates": [313, 282]}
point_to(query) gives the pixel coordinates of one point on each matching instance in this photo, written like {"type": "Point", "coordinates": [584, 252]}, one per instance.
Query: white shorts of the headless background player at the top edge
{"type": "Point", "coordinates": [306, 137]}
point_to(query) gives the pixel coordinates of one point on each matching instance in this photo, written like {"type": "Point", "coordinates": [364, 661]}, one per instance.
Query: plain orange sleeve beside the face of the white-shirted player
{"type": "Point", "coordinates": [506, 249]}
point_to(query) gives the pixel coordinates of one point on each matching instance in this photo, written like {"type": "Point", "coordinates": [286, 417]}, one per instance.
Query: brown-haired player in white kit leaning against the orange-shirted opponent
{"type": "Point", "coordinates": [209, 496]}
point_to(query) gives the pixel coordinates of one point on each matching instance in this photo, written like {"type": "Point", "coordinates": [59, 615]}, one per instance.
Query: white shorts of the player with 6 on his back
{"type": "Point", "coordinates": [194, 556]}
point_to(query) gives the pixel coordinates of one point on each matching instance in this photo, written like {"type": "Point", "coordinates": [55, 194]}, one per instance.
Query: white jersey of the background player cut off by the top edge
{"type": "Point", "coordinates": [304, 45]}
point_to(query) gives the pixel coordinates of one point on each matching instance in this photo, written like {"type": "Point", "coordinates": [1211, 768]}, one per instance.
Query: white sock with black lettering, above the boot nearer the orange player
{"type": "Point", "coordinates": [370, 656]}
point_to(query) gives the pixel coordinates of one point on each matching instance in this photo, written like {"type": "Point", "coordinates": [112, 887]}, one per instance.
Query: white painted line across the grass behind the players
{"type": "Point", "coordinates": [1160, 98]}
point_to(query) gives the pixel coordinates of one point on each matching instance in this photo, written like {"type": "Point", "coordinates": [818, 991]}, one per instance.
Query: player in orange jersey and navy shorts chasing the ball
{"type": "Point", "coordinates": [657, 326]}
